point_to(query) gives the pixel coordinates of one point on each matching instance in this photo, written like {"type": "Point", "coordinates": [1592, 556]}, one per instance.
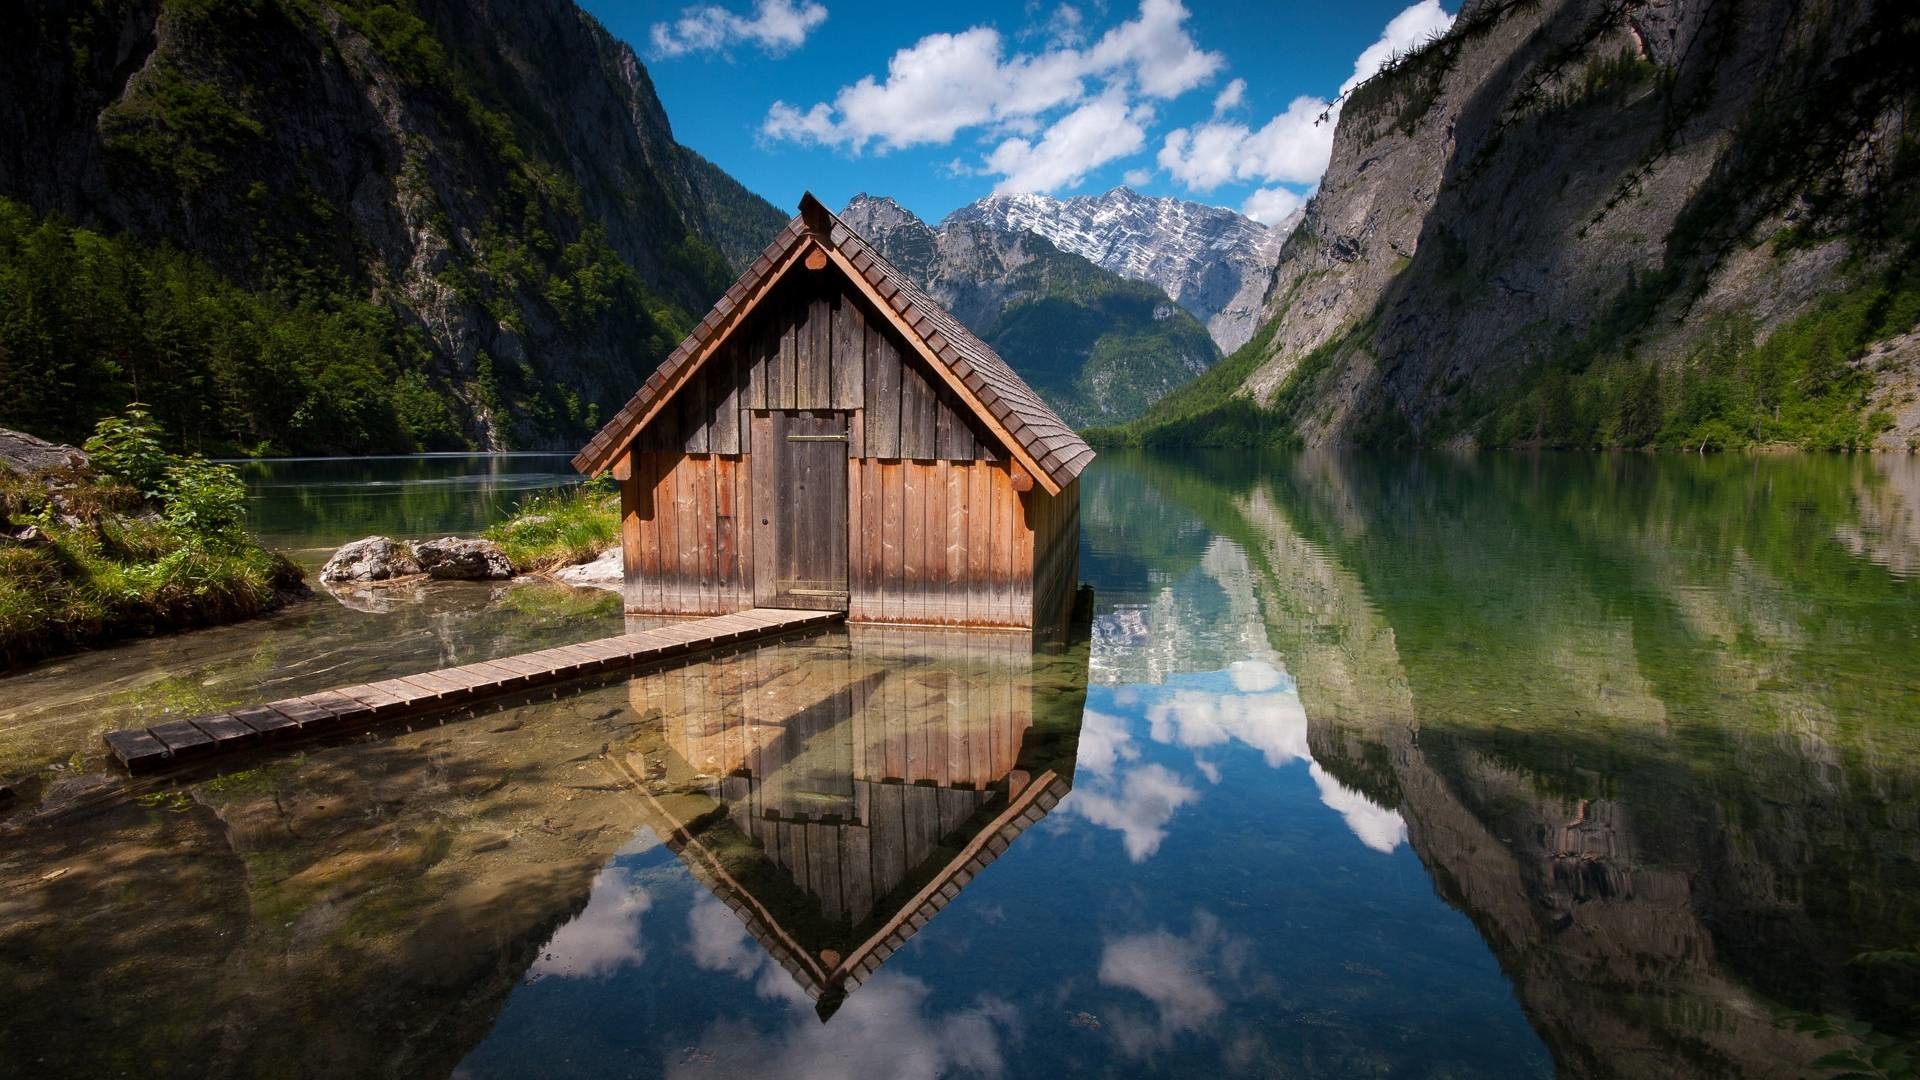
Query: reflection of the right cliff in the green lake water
{"type": "Point", "coordinates": [1654, 725]}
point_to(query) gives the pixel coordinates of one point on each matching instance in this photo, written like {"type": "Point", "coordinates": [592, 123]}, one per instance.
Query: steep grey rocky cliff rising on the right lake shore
{"type": "Point", "coordinates": [1606, 224]}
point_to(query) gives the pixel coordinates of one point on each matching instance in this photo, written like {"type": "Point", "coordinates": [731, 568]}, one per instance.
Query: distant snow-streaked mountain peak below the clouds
{"type": "Point", "coordinates": [1211, 260]}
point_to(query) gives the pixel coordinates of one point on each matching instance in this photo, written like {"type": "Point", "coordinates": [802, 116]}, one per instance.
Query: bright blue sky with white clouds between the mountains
{"type": "Point", "coordinates": [940, 105]}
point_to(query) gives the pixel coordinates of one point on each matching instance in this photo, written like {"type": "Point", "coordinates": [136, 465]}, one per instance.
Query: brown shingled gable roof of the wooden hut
{"type": "Point", "coordinates": [990, 387]}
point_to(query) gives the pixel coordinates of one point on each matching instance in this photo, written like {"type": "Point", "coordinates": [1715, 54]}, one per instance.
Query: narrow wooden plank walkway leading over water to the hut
{"type": "Point", "coordinates": [160, 747]}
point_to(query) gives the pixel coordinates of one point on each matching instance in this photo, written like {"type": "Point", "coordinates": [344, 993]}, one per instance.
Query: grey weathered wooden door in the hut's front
{"type": "Point", "coordinates": [809, 510]}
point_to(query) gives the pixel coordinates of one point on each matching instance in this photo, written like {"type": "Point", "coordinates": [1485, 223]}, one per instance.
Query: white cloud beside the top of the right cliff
{"type": "Point", "coordinates": [1295, 145]}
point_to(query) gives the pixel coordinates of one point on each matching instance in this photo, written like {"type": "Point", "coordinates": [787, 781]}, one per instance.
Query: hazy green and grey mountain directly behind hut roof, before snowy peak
{"type": "Point", "coordinates": [1097, 347]}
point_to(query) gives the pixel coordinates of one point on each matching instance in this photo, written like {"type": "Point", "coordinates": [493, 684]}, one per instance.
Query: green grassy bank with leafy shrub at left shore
{"type": "Point", "coordinates": [95, 554]}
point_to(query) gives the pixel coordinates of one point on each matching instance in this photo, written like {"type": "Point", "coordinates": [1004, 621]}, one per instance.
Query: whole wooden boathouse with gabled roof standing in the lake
{"type": "Point", "coordinates": [832, 439]}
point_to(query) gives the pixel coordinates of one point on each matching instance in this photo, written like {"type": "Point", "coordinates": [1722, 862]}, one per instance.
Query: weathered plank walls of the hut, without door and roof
{"type": "Point", "coordinates": [936, 531]}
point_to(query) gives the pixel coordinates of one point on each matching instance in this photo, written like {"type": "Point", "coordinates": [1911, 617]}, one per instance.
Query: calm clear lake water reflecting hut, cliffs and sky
{"type": "Point", "coordinates": [1499, 766]}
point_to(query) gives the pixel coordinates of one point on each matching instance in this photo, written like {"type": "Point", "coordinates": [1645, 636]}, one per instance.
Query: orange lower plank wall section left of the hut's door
{"type": "Point", "coordinates": [688, 533]}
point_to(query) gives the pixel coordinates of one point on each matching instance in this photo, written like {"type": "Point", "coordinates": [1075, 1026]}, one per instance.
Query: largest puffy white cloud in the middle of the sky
{"type": "Point", "coordinates": [955, 82]}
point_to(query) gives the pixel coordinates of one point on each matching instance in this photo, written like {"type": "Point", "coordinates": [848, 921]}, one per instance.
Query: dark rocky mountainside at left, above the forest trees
{"type": "Point", "coordinates": [500, 176]}
